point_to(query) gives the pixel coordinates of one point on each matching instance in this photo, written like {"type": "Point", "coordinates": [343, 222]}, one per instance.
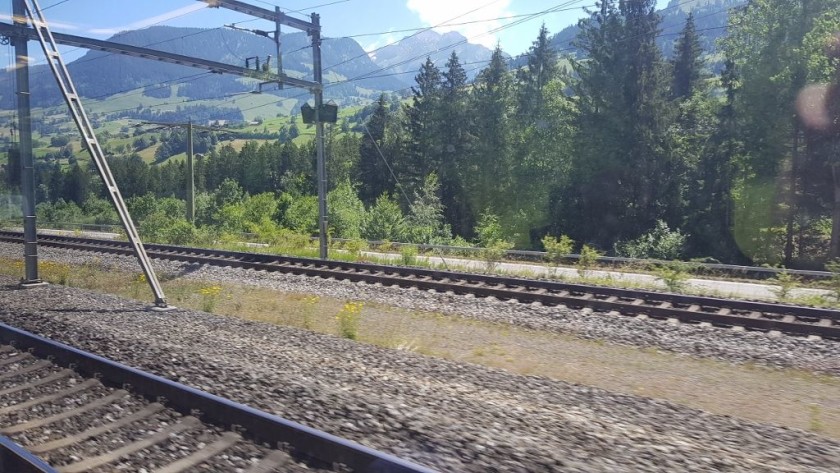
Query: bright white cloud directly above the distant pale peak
{"type": "Point", "coordinates": [439, 12]}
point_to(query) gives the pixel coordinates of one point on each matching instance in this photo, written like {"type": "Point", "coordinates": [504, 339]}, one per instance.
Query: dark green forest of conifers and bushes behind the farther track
{"type": "Point", "coordinates": [619, 148]}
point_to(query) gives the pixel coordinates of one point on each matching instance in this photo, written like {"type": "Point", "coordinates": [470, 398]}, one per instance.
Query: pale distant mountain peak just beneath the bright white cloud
{"type": "Point", "coordinates": [405, 57]}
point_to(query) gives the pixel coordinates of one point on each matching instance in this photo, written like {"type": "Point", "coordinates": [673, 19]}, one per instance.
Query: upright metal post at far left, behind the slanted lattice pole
{"type": "Point", "coordinates": [27, 163]}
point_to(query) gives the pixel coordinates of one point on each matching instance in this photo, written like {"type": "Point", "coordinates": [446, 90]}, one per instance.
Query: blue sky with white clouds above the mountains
{"type": "Point", "coordinates": [372, 23]}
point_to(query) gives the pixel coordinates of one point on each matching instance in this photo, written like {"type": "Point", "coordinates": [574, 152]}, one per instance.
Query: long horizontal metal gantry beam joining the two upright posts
{"type": "Point", "coordinates": [146, 53]}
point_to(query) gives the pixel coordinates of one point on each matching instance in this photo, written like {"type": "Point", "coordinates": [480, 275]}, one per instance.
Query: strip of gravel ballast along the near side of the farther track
{"type": "Point", "coordinates": [822, 356]}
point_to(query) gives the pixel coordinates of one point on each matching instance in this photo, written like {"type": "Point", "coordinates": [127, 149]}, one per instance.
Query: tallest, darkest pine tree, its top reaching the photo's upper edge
{"type": "Point", "coordinates": [621, 168]}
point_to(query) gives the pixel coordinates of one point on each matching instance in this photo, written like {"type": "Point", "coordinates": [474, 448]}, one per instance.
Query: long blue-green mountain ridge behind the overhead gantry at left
{"type": "Point", "coordinates": [98, 74]}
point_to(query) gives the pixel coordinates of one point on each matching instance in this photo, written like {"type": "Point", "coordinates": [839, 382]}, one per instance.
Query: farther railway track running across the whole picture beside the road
{"type": "Point", "coordinates": [747, 315]}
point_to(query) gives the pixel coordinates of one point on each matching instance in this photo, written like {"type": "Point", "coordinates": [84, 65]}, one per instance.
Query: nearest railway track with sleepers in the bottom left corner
{"type": "Point", "coordinates": [76, 412]}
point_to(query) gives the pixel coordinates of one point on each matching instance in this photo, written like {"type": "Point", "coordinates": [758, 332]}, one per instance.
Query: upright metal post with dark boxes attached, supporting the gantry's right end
{"type": "Point", "coordinates": [315, 32]}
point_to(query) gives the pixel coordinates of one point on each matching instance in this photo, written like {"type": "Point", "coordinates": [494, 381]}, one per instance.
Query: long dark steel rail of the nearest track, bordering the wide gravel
{"type": "Point", "coordinates": [263, 427]}
